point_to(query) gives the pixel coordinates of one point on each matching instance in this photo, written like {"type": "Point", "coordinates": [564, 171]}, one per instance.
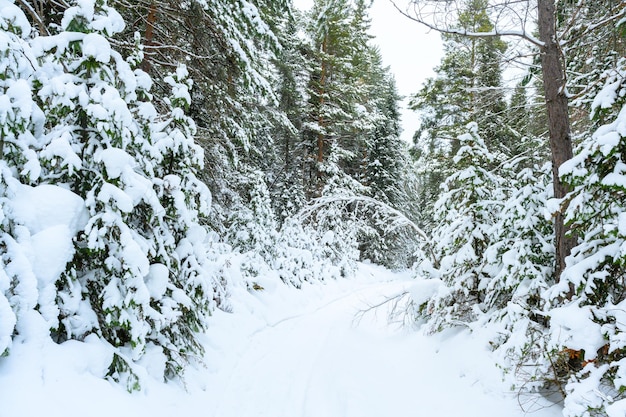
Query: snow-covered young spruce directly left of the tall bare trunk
{"type": "Point", "coordinates": [520, 260]}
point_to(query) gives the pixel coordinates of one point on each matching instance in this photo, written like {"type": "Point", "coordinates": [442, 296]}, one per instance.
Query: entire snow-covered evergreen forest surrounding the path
{"type": "Point", "coordinates": [195, 143]}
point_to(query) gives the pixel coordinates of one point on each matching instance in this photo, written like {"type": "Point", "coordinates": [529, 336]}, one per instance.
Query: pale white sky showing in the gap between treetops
{"type": "Point", "coordinates": [407, 47]}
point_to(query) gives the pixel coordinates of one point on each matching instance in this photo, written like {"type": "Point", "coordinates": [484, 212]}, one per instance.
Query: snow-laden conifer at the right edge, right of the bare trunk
{"type": "Point", "coordinates": [587, 318]}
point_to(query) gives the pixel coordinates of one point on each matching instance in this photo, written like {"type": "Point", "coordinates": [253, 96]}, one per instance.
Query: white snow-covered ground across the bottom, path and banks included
{"type": "Point", "coordinates": [283, 353]}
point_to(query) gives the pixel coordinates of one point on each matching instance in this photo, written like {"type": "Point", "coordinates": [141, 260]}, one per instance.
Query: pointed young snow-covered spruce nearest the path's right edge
{"type": "Point", "coordinates": [465, 214]}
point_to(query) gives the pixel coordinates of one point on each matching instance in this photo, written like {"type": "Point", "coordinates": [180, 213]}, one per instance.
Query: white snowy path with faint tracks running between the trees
{"type": "Point", "coordinates": [319, 361]}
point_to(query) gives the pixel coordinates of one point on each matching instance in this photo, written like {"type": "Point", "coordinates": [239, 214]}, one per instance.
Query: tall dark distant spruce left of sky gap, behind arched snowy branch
{"type": "Point", "coordinates": [386, 169]}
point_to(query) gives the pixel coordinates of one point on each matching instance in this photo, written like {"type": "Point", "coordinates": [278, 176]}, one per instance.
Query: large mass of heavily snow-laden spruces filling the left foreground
{"type": "Point", "coordinates": [78, 118]}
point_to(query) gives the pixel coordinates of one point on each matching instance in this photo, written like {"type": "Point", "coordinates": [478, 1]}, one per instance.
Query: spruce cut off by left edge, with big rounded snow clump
{"type": "Point", "coordinates": [32, 212]}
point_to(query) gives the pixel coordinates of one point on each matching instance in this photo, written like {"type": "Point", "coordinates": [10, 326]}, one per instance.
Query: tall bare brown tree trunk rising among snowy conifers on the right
{"type": "Point", "coordinates": [558, 119]}
